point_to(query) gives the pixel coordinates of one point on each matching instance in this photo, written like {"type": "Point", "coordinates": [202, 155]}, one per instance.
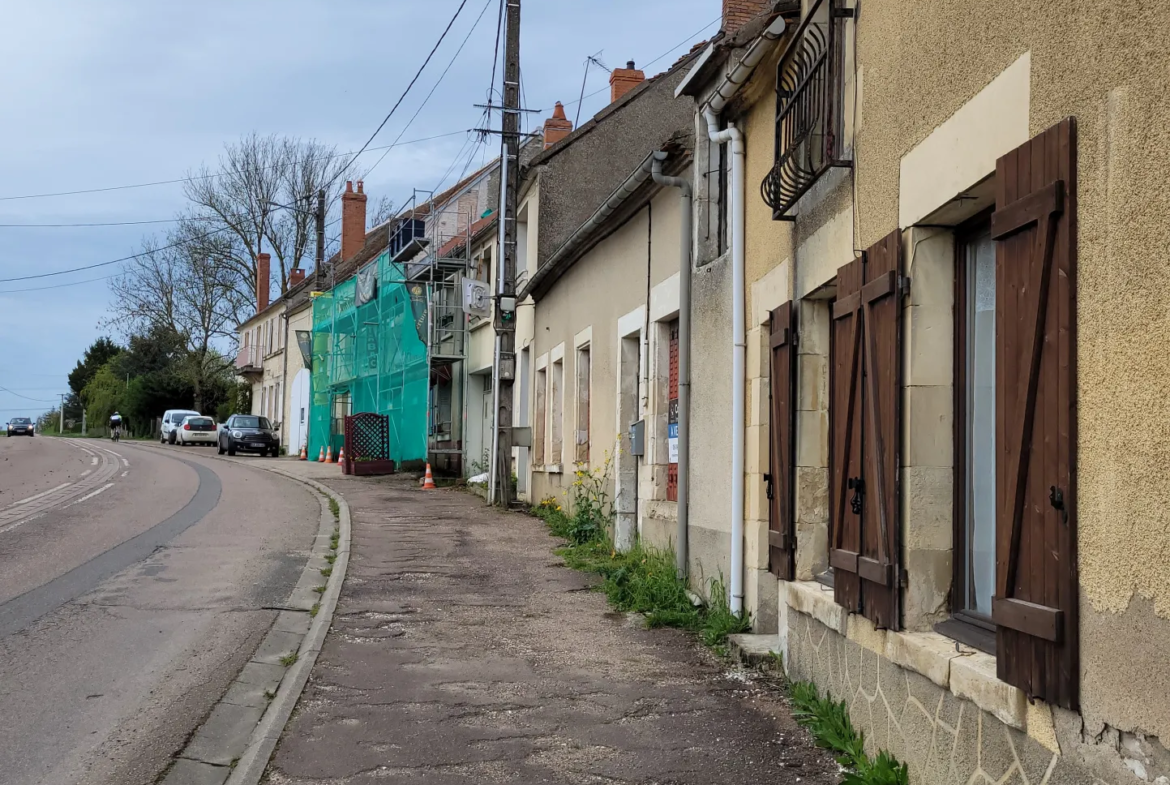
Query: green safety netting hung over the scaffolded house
{"type": "Point", "coordinates": [368, 357]}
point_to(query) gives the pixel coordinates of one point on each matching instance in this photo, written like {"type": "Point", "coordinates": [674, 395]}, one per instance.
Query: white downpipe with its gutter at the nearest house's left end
{"type": "Point", "coordinates": [711, 112]}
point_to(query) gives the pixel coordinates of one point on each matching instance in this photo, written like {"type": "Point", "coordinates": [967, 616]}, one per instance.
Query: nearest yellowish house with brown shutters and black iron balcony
{"type": "Point", "coordinates": [921, 260]}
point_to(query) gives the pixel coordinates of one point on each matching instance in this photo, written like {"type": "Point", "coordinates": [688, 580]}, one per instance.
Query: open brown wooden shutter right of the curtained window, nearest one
{"type": "Point", "coordinates": [1035, 608]}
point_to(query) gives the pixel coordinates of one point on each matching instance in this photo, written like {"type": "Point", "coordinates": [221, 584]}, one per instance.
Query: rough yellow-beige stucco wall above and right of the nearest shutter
{"type": "Point", "coordinates": [921, 63]}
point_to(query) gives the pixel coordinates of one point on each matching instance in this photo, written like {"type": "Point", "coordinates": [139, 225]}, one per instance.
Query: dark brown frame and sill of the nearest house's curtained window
{"type": "Point", "coordinates": [966, 626]}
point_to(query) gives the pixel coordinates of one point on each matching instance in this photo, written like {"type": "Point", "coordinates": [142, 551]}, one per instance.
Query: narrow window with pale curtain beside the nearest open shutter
{"type": "Point", "coordinates": [975, 432]}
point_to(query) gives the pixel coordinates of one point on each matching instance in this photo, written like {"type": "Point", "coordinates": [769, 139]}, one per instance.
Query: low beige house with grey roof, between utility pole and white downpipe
{"type": "Point", "coordinates": [600, 244]}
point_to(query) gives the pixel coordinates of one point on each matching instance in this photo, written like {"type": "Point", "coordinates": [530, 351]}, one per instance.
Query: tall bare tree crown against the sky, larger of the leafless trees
{"type": "Point", "coordinates": [249, 201]}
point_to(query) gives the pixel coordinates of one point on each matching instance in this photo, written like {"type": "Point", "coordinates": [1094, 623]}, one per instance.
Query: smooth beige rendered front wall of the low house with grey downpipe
{"type": "Point", "coordinates": [609, 283]}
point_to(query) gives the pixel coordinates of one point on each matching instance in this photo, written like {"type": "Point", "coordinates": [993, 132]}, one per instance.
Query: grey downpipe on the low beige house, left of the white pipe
{"type": "Point", "coordinates": [685, 256]}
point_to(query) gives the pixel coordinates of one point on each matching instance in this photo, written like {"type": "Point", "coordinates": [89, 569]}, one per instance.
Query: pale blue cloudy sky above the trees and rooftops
{"type": "Point", "coordinates": [127, 92]}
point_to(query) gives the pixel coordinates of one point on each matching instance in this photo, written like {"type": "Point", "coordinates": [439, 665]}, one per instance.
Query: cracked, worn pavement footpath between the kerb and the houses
{"type": "Point", "coordinates": [463, 652]}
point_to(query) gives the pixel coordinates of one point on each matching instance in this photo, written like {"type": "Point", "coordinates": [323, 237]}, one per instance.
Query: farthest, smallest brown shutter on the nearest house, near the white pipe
{"type": "Point", "coordinates": [782, 445]}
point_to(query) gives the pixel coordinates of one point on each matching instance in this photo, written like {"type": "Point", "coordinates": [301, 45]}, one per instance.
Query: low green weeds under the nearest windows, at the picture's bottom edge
{"type": "Point", "coordinates": [829, 722]}
